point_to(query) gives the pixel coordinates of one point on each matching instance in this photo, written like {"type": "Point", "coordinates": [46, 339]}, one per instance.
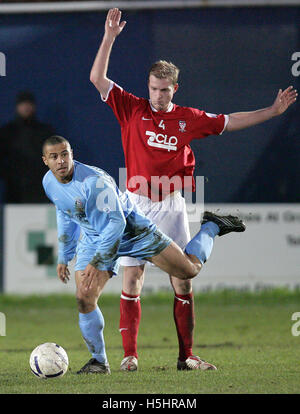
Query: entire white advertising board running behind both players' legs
{"type": "Point", "coordinates": [266, 254]}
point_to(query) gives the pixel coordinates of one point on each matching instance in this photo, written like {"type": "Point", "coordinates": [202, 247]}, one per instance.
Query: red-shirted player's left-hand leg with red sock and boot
{"type": "Point", "coordinates": [130, 312]}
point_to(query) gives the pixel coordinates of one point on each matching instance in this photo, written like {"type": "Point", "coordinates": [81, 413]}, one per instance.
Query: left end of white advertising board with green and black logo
{"type": "Point", "coordinates": [28, 229]}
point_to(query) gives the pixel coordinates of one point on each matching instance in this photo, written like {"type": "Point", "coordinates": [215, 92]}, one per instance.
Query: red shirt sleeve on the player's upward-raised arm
{"type": "Point", "coordinates": [122, 103]}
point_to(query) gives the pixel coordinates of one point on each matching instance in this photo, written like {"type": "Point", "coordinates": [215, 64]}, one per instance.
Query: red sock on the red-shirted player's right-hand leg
{"type": "Point", "coordinates": [185, 322]}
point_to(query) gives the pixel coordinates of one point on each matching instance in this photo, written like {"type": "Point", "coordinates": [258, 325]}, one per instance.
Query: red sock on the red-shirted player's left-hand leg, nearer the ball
{"type": "Point", "coordinates": [130, 316]}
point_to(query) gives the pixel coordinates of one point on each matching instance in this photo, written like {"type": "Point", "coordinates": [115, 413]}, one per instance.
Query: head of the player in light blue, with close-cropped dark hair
{"type": "Point", "coordinates": [59, 159]}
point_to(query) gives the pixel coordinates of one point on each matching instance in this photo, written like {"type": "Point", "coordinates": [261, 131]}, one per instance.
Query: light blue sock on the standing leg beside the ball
{"type": "Point", "coordinates": [91, 325]}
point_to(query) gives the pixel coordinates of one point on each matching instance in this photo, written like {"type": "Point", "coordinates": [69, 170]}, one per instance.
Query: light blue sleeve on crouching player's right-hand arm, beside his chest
{"type": "Point", "coordinates": [105, 213]}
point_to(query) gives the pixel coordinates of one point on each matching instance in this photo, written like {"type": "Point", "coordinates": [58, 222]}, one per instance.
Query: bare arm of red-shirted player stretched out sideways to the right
{"type": "Point", "coordinates": [240, 120]}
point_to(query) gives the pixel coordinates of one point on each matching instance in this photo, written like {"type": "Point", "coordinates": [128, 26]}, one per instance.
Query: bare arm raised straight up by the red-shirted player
{"type": "Point", "coordinates": [113, 27]}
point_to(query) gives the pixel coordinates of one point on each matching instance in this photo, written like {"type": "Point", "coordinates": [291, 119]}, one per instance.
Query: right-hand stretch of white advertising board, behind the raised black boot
{"type": "Point", "coordinates": [267, 254]}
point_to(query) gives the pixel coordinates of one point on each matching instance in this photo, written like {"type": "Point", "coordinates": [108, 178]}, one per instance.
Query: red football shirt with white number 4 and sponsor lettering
{"type": "Point", "coordinates": [158, 156]}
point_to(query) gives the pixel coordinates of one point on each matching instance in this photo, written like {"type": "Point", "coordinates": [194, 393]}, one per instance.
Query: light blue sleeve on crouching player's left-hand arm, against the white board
{"type": "Point", "coordinates": [68, 234]}
